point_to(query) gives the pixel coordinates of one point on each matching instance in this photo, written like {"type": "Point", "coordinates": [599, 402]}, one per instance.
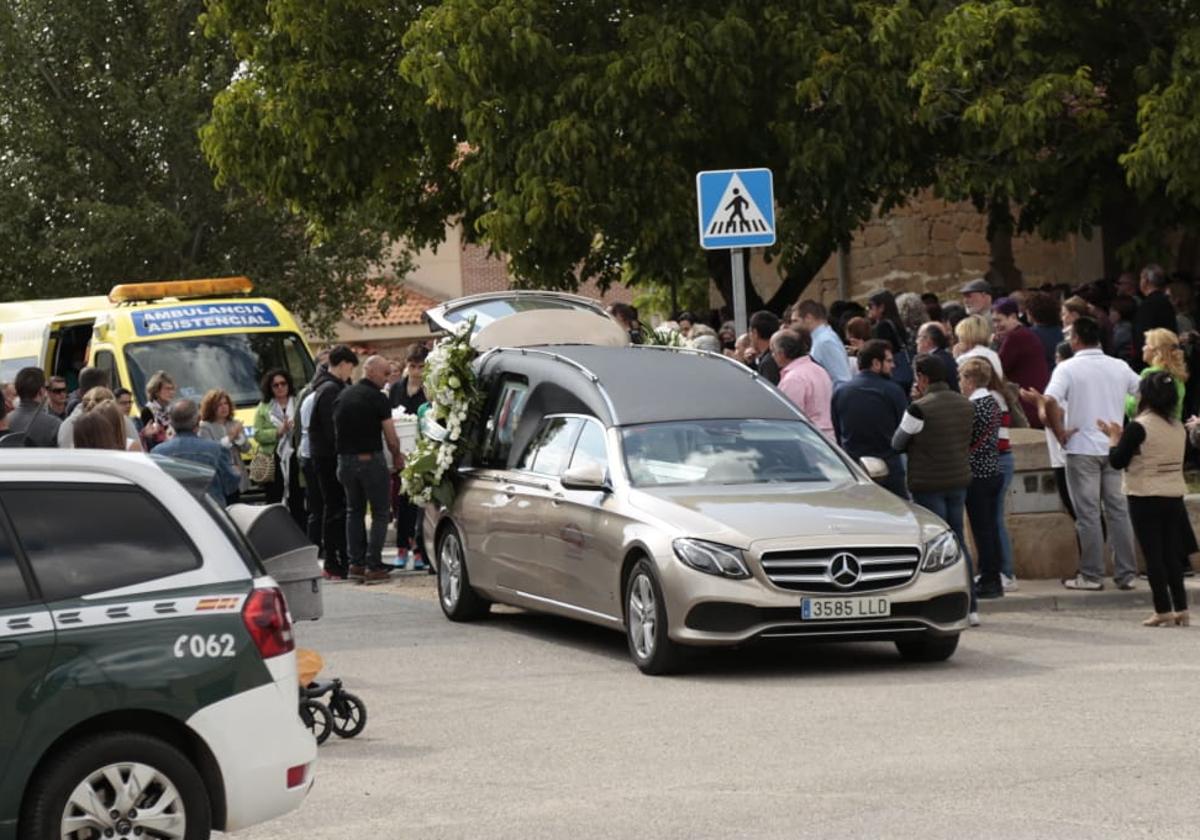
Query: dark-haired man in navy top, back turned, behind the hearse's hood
{"type": "Point", "coordinates": [868, 410]}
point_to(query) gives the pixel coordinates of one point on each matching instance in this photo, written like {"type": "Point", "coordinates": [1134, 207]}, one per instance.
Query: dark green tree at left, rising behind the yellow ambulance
{"type": "Point", "coordinates": [101, 175]}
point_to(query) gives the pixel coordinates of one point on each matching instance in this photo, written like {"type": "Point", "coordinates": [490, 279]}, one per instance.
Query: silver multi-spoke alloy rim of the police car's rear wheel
{"type": "Point", "coordinates": [127, 800]}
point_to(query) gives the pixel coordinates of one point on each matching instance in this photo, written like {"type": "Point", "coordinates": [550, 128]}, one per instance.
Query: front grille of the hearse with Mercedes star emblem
{"type": "Point", "coordinates": [809, 569]}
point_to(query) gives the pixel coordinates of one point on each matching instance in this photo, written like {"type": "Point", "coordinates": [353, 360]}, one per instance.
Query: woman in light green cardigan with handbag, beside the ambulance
{"type": "Point", "coordinates": [275, 419]}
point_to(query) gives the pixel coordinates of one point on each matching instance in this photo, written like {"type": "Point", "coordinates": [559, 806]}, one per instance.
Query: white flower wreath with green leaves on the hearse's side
{"type": "Point", "coordinates": [454, 399]}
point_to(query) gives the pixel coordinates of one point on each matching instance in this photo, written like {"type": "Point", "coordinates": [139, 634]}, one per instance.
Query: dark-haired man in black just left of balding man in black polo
{"type": "Point", "coordinates": [323, 449]}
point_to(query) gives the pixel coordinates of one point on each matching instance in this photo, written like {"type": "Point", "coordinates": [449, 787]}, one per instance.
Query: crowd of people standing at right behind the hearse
{"type": "Point", "coordinates": [934, 387]}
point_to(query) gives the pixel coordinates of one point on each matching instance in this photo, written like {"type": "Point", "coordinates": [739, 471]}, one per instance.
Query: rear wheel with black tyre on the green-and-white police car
{"type": "Point", "coordinates": [118, 785]}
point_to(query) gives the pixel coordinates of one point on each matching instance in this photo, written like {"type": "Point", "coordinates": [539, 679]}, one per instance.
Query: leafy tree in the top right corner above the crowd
{"type": "Point", "coordinates": [1035, 109]}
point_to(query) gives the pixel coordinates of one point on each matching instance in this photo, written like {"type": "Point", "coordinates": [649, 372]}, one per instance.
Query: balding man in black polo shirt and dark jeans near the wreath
{"type": "Point", "coordinates": [363, 422]}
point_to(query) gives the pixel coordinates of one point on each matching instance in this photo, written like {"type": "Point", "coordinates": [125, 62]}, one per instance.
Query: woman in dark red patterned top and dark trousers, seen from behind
{"type": "Point", "coordinates": [987, 481]}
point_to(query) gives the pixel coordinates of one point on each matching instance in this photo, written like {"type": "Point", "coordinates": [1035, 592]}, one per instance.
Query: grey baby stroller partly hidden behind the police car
{"type": "Point", "coordinates": [292, 561]}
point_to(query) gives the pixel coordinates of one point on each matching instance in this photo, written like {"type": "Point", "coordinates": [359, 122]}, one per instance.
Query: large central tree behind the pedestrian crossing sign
{"type": "Point", "coordinates": [567, 135]}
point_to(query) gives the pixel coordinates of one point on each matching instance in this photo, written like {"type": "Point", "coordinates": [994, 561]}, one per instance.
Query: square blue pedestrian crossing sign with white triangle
{"type": "Point", "coordinates": [737, 208]}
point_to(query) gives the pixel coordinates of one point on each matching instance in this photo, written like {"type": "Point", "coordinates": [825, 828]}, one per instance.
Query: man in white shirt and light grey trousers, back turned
{"type": "Point", "coordinates": [1093, 387]}
